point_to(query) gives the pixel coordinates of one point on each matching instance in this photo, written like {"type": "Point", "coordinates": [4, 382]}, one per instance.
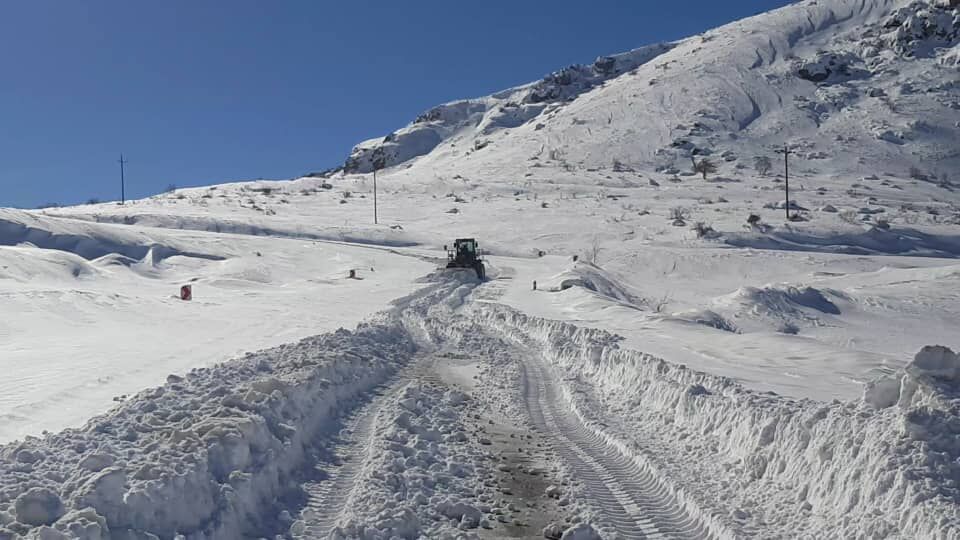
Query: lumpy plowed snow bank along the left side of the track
{"type": "Point", "coordinates": [199, 457]}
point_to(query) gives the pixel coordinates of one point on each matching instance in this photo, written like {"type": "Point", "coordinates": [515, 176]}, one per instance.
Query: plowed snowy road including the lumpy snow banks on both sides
{"type": "Point", "coordinates": [445, 417]}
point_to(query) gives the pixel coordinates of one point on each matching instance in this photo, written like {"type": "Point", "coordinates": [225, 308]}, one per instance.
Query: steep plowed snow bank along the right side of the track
{"type": "Point", "coordinates": [744, 461]}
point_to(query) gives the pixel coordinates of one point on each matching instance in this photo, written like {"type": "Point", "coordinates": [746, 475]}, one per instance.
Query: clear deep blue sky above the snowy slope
{"type": "Point", "coordinates": [199, 92]}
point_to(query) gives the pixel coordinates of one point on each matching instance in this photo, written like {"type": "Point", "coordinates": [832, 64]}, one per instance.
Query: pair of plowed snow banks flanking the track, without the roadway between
{"type": "Point", "coordinates": [206, 455]}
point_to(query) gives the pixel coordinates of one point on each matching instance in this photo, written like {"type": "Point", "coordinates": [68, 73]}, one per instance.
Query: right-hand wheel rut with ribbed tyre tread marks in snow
{"type": "Point", "coordinates": [627, 498]}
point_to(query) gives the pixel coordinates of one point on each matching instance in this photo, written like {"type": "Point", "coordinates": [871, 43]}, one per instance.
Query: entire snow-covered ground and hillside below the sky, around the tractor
{"type": "Point", "coordinates": [658, 352]}
